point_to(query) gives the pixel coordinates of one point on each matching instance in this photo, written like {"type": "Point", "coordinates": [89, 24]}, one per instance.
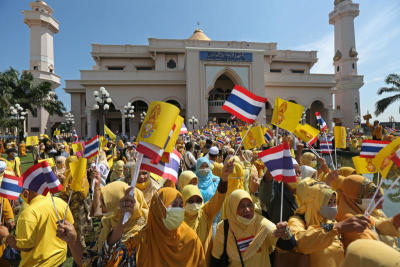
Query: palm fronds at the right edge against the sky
{"type": "Point", "coordinates": [394, 81]}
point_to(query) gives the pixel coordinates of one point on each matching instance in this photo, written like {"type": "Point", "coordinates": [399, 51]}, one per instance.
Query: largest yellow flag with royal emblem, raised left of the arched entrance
{"type": "Point", "coordinates": [158, 123]}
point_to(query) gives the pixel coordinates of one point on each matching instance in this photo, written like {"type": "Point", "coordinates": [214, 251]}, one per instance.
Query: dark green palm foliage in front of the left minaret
{"type": "Point", "coordinates": [21, 89]}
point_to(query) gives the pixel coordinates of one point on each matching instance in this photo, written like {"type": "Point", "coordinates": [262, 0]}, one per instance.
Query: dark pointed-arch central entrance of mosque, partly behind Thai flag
{"type": "Point", "coordinates": [216, 98]}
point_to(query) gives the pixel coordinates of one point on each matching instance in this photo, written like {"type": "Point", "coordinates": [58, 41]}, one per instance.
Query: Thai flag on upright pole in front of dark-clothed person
{"type": "Point", "coordinates": [279, 163]}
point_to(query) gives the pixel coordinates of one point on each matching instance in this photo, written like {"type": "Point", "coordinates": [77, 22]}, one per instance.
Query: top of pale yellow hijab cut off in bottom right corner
{"type": "Point", "coordinates": [370, 253]}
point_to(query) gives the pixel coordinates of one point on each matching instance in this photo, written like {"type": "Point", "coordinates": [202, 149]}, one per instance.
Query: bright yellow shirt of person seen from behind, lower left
{"type": "Point", "coordinates": [36, 230]}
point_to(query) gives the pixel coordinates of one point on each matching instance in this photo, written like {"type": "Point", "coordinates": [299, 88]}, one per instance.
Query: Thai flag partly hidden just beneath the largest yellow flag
{"type": "Point", "coordinates": [166, 170]}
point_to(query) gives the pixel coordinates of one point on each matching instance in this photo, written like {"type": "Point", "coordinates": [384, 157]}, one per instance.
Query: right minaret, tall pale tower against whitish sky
{"type": "Point", "coordinates": [347, 95]}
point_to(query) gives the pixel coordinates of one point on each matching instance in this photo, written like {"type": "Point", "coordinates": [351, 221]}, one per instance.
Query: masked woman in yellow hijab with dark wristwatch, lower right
{"type": "Point", "coordinates": [312, 224]}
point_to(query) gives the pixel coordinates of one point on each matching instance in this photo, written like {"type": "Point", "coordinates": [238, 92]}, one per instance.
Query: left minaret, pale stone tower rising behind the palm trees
{"type": "Point", "coordinates": [42, 26]}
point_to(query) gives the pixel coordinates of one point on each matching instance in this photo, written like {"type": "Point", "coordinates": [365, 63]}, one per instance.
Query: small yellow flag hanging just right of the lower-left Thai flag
{"type": "Point", "coordinates": [79, 182]}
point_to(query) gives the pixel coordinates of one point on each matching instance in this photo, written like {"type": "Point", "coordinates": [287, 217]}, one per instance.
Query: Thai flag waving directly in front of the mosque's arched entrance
{"type": "Point", "coordinates": [244, 104]}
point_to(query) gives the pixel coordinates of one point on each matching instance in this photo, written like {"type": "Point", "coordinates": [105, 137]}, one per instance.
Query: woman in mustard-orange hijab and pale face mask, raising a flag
{"type": "Point", "coordinates": [166, 240]}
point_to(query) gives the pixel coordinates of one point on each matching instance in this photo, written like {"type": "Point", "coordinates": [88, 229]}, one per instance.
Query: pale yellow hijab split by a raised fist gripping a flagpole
{"type": "Point", "coordinates": [110, 197]}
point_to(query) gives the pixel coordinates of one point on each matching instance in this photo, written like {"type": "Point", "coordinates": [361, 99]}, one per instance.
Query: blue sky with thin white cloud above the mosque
{"type": "Point", "coordinates": [293, 24]}
